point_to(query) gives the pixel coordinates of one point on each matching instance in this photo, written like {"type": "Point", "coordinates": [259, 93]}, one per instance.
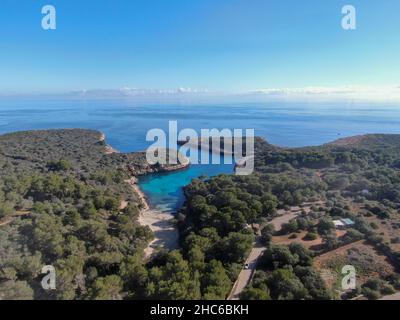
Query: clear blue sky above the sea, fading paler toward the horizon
{"type": "Point", "coordinates": [268, 47]}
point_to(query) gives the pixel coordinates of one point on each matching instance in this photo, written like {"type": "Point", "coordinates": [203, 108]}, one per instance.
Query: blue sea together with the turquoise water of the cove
{"type": "Point", "coordinates": [126, 124]}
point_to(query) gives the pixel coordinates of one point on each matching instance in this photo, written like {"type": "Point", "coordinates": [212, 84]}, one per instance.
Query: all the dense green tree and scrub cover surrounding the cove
{"type": "Point", "coordinates": [60, 204]}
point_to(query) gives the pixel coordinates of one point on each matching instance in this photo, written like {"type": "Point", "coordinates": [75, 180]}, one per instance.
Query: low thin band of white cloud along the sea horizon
{"type": "Point", "coordinates": [365, 93]}
